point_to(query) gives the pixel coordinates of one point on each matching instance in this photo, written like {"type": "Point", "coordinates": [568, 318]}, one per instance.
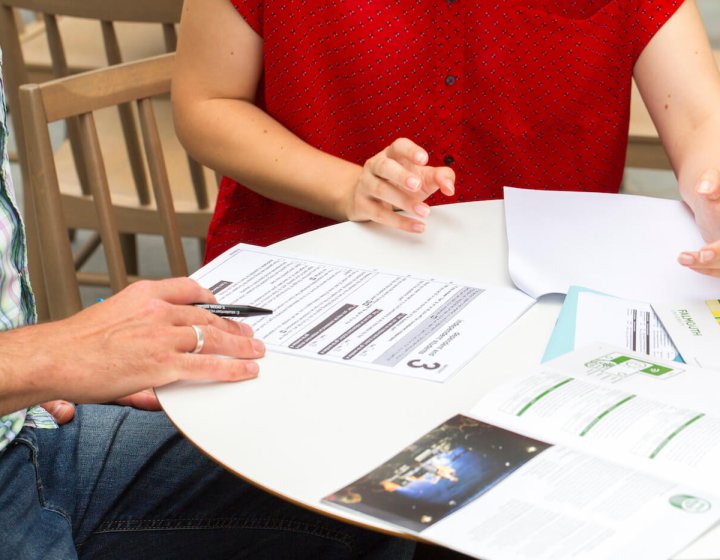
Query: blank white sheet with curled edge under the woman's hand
{"type": "Point", "coordinates": [618, 244]}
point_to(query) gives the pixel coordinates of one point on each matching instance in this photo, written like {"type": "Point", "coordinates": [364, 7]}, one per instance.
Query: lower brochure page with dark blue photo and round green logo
{"type": "Point", "coordinates": [496, 494]}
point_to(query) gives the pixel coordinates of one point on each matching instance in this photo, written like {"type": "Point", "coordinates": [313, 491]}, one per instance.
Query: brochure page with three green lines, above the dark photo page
{"type": "Point", "coordinates": [660, 417]}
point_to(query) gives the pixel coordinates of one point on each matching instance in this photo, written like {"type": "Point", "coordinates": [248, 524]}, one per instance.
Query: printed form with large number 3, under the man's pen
{"type": "Point", "coordinates": [393, 321]}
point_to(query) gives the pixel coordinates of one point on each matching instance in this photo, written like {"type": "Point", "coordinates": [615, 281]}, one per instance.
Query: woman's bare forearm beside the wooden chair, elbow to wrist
{"type": "Point", "coordinates": [241, 141]}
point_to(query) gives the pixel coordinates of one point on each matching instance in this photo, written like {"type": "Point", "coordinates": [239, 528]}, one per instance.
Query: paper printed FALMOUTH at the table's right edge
{"type": "Point", "coordinates": [695, 328]}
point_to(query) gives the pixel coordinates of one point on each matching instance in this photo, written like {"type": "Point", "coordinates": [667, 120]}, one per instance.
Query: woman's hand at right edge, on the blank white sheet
{"type": "Point", "coordinates": [705, 204]}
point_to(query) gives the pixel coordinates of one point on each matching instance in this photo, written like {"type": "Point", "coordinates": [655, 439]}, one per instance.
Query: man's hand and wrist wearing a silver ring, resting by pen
{"type": "Point", "coordinates": [140, 338]}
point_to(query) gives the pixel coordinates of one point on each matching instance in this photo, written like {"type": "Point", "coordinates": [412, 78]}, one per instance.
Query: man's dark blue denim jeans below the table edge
{"type": "Point", "coordinates": [117, 482]}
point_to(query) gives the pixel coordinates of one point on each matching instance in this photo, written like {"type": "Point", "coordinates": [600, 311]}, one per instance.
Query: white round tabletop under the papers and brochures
{"type": "Point", "coordinates": [305, 428]}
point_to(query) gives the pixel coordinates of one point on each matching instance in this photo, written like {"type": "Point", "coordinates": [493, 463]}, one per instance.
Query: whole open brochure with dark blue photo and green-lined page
{"type": "Point", "coordinates": [602, 453]}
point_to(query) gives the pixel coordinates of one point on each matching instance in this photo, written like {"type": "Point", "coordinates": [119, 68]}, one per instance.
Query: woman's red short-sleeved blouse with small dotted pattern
{"type": "Point", "coordinates": [527, 93]}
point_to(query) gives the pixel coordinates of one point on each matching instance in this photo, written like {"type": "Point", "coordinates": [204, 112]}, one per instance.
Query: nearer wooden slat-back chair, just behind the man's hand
{"type": "Point", "coordinates": [81, 96]}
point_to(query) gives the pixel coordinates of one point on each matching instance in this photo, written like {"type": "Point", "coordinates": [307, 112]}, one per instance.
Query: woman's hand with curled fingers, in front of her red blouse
{"type": "Point", "coordinates": [398, 178]}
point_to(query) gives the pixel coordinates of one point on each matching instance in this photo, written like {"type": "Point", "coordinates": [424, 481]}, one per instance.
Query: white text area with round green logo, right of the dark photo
{"type": "Point", "coordinates": [565, 505]}
